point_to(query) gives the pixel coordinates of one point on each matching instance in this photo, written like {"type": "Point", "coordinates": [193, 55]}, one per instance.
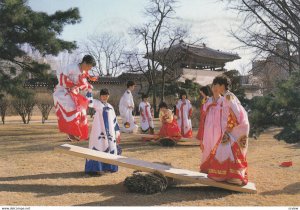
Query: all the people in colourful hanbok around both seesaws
{"type": "Point", "coordinates": [223, 127]}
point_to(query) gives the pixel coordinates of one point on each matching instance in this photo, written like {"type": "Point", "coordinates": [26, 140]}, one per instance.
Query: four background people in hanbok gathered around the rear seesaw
{"type": "Point", "coordinates": [174, 125]}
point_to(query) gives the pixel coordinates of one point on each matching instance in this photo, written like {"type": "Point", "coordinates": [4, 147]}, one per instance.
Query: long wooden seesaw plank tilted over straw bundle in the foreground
{"type": "Point", "coordinates": [177, 173]}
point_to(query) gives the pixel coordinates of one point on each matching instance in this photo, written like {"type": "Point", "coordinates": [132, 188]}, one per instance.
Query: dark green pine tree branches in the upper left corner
{"type": "Point", "coordinates": [19, 26]}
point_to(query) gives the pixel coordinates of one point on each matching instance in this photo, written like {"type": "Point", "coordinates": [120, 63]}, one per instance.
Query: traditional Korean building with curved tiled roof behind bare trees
{"type": "Point", "coordinates": [194, 62]}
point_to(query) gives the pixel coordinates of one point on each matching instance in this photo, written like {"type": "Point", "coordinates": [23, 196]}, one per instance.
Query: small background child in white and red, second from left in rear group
{"type": "Point", "coordinates": [146, 118]}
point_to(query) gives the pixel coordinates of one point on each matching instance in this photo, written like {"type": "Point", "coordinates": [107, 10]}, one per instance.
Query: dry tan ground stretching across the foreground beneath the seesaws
{"type": "Point", "coordinates": [32, 174]}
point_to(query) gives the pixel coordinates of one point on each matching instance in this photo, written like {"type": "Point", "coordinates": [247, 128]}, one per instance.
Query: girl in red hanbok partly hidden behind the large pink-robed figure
{"type": "Point", "coordinates": [205, 93]}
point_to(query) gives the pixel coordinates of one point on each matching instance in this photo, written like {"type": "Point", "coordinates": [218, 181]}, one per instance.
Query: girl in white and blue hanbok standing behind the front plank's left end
{"type": "Point", "coordinates": [105, 134]}
